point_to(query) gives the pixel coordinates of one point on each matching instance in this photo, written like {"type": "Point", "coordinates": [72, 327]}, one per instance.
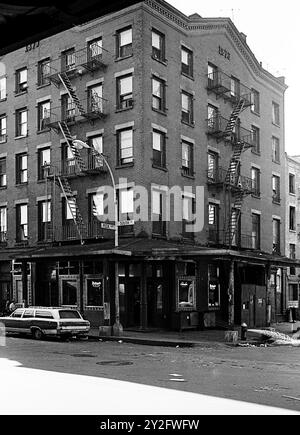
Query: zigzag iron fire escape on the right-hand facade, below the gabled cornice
{"type": "Point", "coordinates": [229, 130]}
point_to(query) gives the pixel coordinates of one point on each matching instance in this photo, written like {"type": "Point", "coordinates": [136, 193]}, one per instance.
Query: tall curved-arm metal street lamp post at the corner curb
{"type": "Point", "coordinates": [117, 327]}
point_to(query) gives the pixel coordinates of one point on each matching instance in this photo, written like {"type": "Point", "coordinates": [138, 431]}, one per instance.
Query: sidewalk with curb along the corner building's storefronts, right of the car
{"type": "Point", "coordinates": [189, 338]}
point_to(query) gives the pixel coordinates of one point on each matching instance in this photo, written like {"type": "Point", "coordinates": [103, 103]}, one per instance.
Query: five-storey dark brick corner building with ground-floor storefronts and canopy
{"type": "Point", "coordinates": [170, 101]}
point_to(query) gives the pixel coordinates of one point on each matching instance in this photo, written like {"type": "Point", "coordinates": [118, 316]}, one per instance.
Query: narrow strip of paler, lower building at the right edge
{"type": "Point", "coordinates": [292, 231]}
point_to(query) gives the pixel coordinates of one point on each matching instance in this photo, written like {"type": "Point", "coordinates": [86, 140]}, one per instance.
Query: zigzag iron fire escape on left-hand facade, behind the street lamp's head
{"type": "Point", "coordinates": [76, 111]}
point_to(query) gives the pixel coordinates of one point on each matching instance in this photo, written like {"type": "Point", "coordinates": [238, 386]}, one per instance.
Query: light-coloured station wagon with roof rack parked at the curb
{"type": "Point", "coordinates": [44, 321]}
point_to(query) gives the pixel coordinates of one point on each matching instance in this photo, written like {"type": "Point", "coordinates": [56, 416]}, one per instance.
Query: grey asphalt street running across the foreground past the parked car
{"type": "Point", "coordinates": [259, 375]}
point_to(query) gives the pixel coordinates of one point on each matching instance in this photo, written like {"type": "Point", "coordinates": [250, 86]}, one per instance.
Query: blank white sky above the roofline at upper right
{"type": "Point", "coordinates": [272, 29]}
